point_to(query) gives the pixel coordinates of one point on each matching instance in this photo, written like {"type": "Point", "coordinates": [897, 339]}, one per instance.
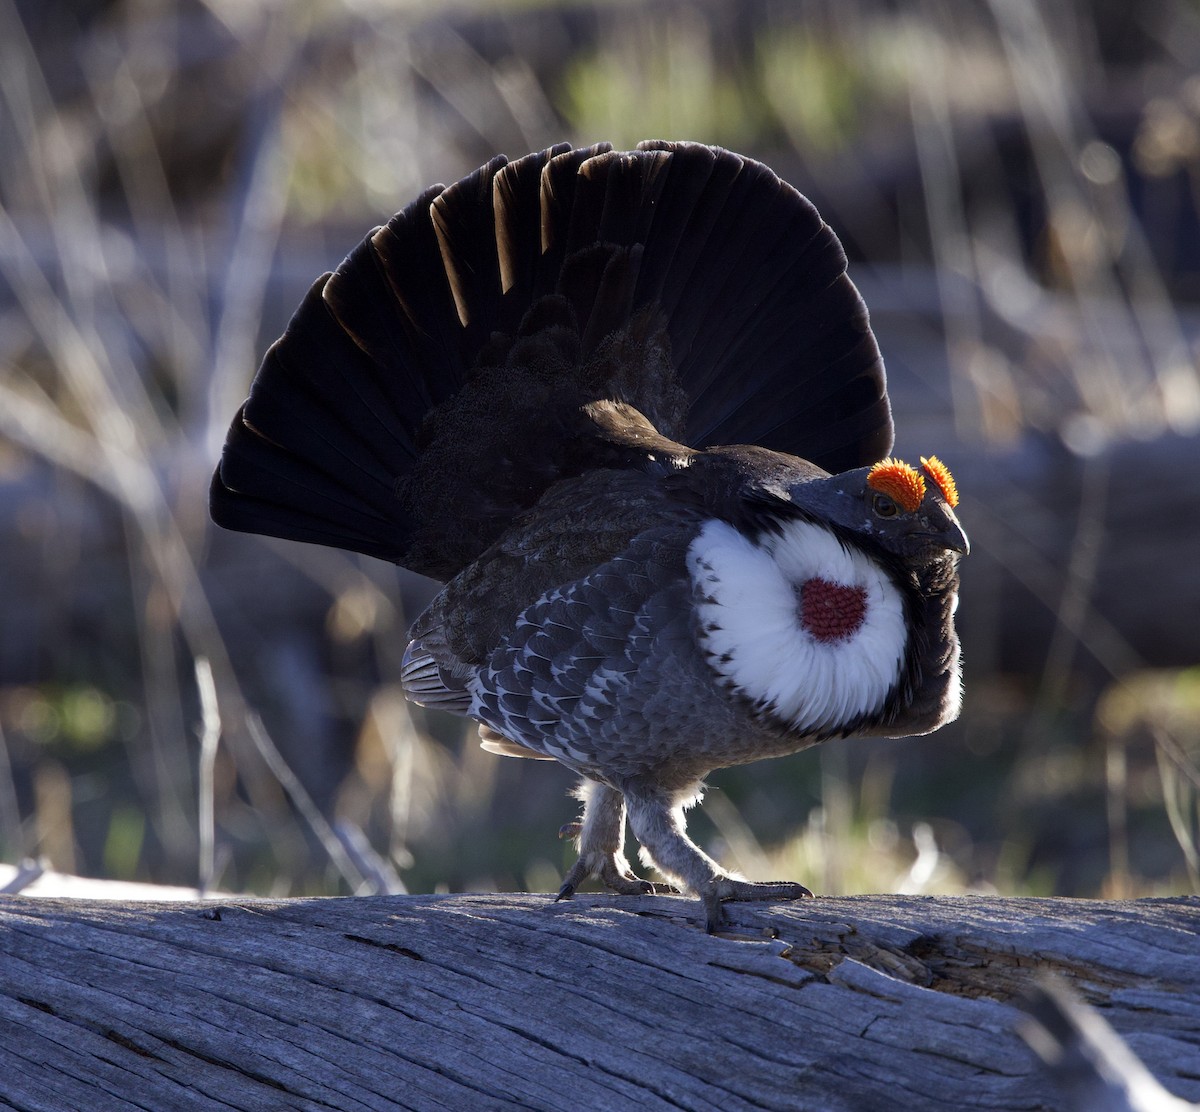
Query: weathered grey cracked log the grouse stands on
{"type": "Point", "coordinates": [515, 1002]}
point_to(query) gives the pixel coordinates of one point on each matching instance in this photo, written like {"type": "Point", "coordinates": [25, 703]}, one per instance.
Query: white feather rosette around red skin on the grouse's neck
{"type": "Point", "coordinates": [753, 634]}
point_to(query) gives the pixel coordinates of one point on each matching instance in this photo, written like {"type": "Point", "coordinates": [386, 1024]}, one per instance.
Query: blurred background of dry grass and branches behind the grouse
{"type": "Point", "coordinates": [1017, 188]}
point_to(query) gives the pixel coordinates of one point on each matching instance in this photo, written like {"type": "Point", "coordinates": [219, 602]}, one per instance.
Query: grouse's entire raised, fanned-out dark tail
{"type": "Point", "coordinates": [769, 340]}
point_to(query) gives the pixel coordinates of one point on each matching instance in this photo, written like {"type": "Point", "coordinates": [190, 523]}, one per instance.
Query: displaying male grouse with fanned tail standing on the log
{"type": "Point", "coordinates": [511, 388]}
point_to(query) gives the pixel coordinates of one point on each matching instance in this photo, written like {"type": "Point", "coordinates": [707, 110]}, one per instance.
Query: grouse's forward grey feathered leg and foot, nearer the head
{"type": "Point", "coordinates": [659, 826]}
